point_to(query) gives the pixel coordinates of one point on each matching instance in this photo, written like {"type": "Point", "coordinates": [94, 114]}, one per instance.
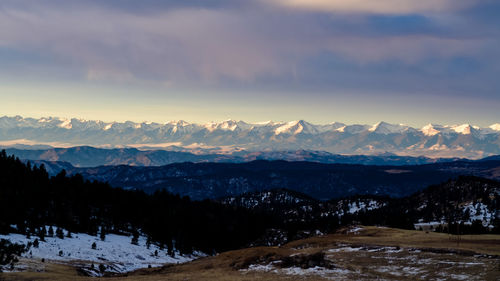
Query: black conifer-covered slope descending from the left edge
{"type": "Point", "coordinates": [30, 199]}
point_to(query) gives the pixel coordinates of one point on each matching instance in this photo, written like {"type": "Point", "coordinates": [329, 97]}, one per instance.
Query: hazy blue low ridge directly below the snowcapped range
{"type": "Point", "coordinates": [86, 156]}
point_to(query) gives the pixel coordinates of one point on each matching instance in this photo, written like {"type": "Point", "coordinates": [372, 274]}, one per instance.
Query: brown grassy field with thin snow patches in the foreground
{"type": "Point", "coordinates": [366, 254]}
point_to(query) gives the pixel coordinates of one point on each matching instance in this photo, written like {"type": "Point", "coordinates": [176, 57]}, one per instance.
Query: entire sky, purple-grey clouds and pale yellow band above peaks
{"type": "Point", "coordinates": [357, 61]}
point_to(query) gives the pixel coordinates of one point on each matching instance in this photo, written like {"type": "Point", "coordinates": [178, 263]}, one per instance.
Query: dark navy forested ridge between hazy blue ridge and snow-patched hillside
{"type": "Point", "coordinates": [321, 181]}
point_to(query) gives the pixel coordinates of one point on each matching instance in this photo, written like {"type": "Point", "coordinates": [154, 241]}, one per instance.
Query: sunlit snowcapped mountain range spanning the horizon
{"type": "Point", "coordinates": [432, 140]}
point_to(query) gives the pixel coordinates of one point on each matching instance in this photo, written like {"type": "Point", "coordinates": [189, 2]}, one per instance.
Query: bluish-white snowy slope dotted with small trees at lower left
{"type": "Point", "coordinates": [116, 252]}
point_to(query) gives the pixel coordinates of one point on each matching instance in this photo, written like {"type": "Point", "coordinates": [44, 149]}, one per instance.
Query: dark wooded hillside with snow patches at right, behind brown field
{"type": "Point", "coordinates": [465, 205]}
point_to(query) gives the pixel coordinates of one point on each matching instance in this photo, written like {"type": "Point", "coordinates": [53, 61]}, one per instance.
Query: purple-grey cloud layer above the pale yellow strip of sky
{"type": "Point", "coordinates": [436, 47]}
